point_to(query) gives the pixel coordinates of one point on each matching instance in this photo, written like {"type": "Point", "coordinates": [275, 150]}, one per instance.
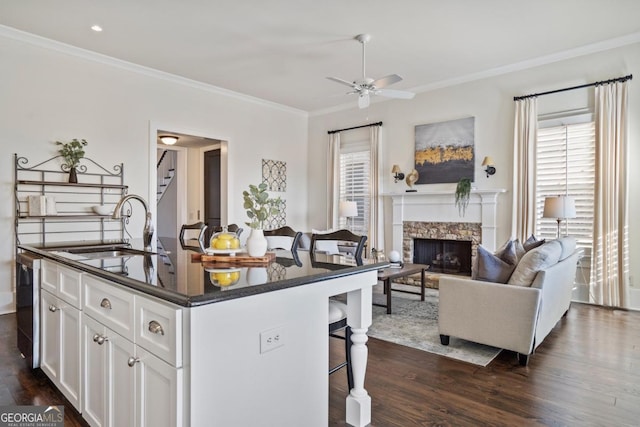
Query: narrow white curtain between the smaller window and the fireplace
{"type": "Point", "coordinates": [376, 220]}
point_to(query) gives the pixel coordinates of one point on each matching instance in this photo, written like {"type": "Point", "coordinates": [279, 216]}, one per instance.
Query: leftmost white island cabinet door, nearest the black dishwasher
{"type": "Point", "coordinates": [50, 333]}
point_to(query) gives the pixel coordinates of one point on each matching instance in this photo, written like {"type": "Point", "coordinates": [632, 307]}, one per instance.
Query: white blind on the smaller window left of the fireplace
{"type": "Point", "coordinates": [355, 172]}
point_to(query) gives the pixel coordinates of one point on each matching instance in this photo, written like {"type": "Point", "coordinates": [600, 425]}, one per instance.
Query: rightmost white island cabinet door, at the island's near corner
{"type": "Point", "coordinates": [159, 398]}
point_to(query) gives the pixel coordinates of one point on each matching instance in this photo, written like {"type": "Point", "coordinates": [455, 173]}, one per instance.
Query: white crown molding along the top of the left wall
{"type": "Point", "coordinates": [45, 43]}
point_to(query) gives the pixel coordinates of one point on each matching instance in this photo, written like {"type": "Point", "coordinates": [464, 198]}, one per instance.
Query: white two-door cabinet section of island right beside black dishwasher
{"type": "Point", "coordinates": [61, 329]}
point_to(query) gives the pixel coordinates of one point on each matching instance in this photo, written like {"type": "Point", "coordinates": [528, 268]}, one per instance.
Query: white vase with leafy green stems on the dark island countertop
{"type": "Point", "coordinates": [260, 207]}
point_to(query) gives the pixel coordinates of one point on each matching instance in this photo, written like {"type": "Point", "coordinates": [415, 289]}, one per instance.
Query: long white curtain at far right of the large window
{"type": "Point", "coordinates": [610, 257]}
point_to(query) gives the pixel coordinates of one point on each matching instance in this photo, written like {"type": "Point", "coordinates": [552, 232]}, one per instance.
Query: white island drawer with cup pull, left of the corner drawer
{"type": "Point", "coordinates": [109, 305]}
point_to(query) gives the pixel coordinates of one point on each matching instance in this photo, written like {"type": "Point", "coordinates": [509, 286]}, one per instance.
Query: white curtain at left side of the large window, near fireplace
{"type": "Point", "coordinates": [524, 164]}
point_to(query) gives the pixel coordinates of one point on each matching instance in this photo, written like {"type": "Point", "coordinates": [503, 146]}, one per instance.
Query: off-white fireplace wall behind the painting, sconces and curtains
{"type": "Point", "coordinates": [490, 101]}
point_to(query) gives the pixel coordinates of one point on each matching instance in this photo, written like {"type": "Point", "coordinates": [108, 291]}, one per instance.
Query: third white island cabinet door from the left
{"type": "Point", "coordinates": [94, 400]}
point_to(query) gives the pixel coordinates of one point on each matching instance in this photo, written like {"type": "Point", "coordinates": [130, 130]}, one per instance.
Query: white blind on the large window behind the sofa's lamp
{"type": "Point", "coordinates": [566, 166]}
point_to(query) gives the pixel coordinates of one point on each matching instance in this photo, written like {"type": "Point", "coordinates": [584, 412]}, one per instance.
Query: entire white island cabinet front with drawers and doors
{"type": "Point", "coordinates": [116, 354]}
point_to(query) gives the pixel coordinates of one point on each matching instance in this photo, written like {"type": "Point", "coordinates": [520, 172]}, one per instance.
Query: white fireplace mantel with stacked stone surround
{"type": "Point", "coordinates": [433, 214]}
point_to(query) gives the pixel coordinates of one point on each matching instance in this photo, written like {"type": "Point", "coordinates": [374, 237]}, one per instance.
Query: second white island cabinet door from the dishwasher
{"type": "Point", "coordinates": [70, 362]}
